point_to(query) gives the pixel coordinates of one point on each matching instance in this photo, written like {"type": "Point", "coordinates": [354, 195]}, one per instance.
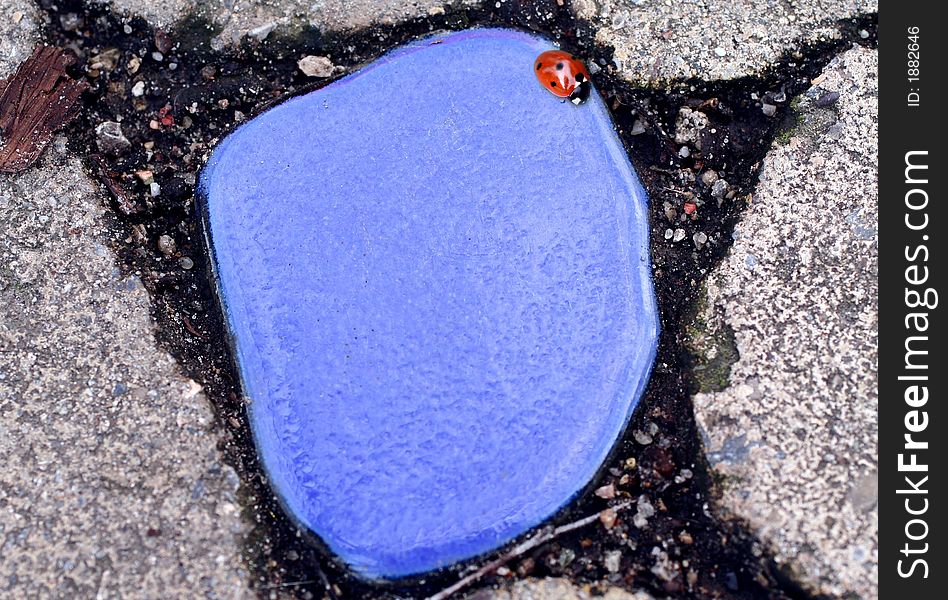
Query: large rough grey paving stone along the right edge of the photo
{"type": "Point", "coordinates": [793, 433]}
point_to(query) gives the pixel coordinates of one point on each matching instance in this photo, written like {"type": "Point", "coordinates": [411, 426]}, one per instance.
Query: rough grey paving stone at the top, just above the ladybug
{"type": "Point", "coordinates": [660, 40]}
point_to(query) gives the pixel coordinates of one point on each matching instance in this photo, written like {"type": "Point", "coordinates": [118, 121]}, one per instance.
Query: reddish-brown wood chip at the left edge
{"type": "Point", "coordinates": [36, 101]}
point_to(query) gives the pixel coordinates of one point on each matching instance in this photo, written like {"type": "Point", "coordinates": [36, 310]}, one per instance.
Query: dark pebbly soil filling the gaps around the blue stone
{"type": "Point", "coordinates": [683, 551]}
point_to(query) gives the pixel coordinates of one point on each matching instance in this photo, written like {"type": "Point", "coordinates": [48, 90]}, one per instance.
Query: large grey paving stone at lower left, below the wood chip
{"type": "Point", "coordinates": [112, 486]}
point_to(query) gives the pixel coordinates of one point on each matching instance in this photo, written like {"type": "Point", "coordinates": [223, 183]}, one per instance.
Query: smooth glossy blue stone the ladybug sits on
{"type": "Point", "coordinates": [437, 281]}
